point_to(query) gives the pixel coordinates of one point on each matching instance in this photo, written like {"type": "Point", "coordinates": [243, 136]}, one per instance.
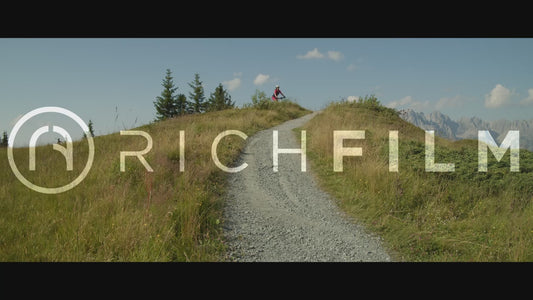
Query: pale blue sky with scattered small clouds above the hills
{"type": "Point", "coordinates": [114, 81]}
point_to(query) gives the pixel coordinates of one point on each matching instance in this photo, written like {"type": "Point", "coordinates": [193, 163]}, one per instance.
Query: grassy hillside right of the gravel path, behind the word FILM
{"type": "Point", "coordinates": [453, 216]}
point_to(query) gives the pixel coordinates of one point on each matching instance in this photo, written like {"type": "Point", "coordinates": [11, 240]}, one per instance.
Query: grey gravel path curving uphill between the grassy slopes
{"type": "Point", "coordinates": [284, 216]}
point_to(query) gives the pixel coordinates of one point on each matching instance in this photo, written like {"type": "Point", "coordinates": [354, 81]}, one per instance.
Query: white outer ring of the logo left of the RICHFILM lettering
{"type": "Point", "coordinates": [24, 119]}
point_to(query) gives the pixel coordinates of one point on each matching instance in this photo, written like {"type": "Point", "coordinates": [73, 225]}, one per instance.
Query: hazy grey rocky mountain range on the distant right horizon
{"type": "Point", "coordinates": [467, 128]}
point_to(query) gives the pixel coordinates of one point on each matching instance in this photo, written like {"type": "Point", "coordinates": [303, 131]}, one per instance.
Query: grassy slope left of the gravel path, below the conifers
{"type": "Point", "coordinates": [135, 215]}
